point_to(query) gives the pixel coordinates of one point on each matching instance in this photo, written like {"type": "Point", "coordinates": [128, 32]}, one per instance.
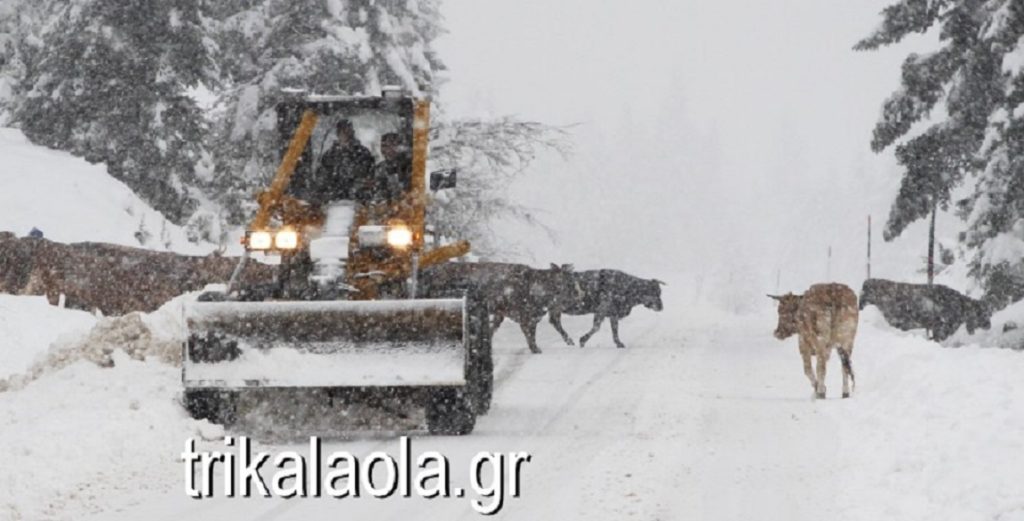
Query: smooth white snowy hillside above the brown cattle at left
{"type": "Point", "coordinates": [71, 201]}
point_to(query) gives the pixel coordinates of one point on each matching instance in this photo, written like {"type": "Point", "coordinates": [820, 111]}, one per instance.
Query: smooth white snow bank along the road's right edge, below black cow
{"type": "Point", "coordinates": [932, 433]}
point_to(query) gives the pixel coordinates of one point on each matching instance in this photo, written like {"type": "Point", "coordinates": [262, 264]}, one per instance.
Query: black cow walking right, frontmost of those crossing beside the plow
{"type": "Point", "coordinates": [608, 294]}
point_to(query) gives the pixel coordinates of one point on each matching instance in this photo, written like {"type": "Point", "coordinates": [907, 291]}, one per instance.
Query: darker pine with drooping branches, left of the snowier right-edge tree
{"type": "Point", "coordinates": [965, 74]}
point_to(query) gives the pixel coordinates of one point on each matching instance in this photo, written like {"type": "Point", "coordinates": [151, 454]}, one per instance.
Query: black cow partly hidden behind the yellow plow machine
{"type": "Point", "coordinates": [515, 291]}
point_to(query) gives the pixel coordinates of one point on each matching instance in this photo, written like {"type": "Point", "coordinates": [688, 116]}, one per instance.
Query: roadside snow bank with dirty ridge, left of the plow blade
{"type": "Point", "coordinates": [98, 417]}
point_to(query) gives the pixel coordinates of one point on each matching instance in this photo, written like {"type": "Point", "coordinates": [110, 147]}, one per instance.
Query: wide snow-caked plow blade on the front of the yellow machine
{"type": "Point", "coordinates": [326, 344]}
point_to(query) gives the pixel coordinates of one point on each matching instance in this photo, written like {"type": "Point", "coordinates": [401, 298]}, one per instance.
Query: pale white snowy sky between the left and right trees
{"type": "Point", "coordinates": [713, 136]}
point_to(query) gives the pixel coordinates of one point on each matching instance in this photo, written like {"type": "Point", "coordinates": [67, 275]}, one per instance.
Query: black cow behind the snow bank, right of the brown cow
{"type": "Point", "coordinates": [937, 309]}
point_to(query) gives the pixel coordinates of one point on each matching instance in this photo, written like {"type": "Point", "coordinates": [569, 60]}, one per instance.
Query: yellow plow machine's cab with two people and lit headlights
{"type": "Point", "coordinates": [351, 190]}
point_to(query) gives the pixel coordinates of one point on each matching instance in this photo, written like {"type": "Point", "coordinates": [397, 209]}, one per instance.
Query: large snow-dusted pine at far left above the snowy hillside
{"type": "Point", "coordinates": [111, 83]}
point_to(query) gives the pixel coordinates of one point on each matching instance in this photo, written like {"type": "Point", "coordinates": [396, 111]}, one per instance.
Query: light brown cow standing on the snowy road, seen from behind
{"type": "Point", "coordinates": [825, 317]}
